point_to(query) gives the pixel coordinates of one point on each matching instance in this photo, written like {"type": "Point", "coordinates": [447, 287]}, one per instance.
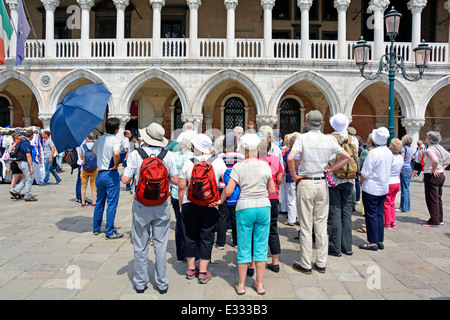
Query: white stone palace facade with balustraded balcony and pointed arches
{"type": "Point", "coordinates": [222, 63]}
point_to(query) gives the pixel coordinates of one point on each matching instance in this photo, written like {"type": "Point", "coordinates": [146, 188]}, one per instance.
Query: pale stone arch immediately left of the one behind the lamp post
{"type": "Point", "coordinates": [316, 79]}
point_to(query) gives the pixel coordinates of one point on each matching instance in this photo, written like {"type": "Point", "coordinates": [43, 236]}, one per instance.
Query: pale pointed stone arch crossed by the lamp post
{"type": "Point", "coordinates": [401, 91]}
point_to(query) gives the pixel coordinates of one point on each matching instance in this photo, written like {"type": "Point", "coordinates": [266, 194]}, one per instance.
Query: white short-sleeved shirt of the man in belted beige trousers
{"type": "Point", "coordinates": [316, 150]}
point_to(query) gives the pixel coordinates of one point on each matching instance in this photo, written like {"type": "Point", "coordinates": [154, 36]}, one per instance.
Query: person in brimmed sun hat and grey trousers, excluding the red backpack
{"type": "Point", "coordinates": [155, 217]}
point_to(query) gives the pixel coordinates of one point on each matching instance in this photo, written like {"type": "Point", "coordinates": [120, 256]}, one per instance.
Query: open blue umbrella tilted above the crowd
{"type": "Point", "coordinates": [77, 115]}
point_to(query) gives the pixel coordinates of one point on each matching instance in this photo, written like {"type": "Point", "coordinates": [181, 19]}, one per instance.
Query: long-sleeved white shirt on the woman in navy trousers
{"type": "Point", "coordinates": [377, 171]}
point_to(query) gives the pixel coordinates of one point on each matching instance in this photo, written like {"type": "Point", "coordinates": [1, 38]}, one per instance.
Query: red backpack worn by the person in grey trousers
{"type": "Point", "coordinates": [152, 188]}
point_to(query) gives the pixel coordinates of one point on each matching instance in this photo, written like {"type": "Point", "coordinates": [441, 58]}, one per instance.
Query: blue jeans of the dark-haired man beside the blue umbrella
{"type": "Point", "coordinates": [108, 189]}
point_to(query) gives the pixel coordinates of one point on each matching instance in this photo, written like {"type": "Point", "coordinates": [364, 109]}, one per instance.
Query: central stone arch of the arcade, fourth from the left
{"type": "Point", "coordinates": [229, 74]}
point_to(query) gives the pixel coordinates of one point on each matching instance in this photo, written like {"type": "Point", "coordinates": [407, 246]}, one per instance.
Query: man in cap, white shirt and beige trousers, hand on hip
{"type": "Point", "coordinates": [315, 150]}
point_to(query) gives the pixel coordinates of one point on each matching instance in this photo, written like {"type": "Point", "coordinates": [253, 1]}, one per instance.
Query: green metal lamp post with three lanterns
{"type": "Point", "coordinates": [391, 62]}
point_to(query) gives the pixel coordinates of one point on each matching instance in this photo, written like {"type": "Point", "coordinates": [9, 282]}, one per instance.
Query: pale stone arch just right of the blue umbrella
{"type": "Point", "coordinates": [135, 84]}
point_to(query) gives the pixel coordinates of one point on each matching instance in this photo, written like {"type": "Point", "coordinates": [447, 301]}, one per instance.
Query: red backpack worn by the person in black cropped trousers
{"type": "Point", "coordinates": [203, 188]}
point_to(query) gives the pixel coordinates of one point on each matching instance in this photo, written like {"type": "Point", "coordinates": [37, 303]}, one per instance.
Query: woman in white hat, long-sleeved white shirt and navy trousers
{"type": "Point", "coordinates": [375, 176]}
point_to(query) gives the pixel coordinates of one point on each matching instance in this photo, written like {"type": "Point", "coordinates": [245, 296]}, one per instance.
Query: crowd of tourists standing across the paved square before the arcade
{"type": "Point", "coordinates": [237, 182]}
